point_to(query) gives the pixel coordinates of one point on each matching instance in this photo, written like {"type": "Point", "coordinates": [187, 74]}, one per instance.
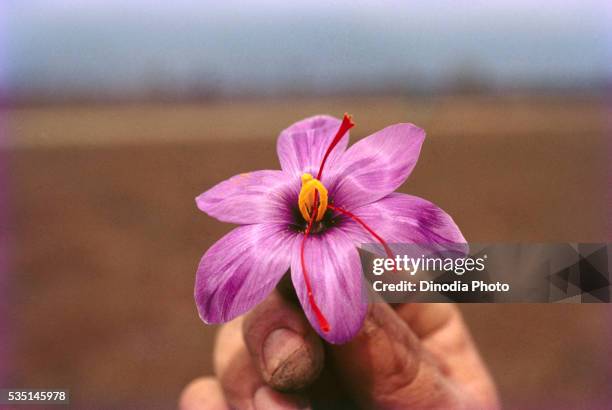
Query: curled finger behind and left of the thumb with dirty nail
{"type": "Point", "coordinates": [240, 380]}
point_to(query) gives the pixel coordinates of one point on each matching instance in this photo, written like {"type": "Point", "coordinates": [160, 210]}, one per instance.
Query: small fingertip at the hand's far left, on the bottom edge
{"type": "Point", "coordinates": [203, 394]}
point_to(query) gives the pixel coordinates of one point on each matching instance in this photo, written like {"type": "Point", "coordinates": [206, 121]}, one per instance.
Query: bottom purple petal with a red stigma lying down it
{"type": "Point", "coordinates": [334, 269]}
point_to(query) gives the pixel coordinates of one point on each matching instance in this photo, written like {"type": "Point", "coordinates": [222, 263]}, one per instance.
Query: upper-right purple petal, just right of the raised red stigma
{"type": "Point", "coordinates": [377, 165]}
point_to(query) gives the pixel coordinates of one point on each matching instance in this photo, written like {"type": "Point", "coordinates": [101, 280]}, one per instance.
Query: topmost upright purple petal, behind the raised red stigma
{"type": "Point", "coordinates": [301, 147]}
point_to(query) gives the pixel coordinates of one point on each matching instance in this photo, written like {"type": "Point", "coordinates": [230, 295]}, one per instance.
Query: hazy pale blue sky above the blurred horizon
{"type": "Point", "coordinates": [67, 43]}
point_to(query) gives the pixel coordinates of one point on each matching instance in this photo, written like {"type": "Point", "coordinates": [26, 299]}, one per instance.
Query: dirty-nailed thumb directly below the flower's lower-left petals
{"type": "Point", "coordinates": [283, 345]}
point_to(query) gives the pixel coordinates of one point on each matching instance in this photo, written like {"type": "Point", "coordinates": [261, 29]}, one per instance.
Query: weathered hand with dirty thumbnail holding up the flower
{"type": "Point", "coordinates": [416, 356]}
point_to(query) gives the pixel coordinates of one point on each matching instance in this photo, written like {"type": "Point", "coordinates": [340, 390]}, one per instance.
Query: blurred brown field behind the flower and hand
{"type": "Point", "coordinates": [107, 236]}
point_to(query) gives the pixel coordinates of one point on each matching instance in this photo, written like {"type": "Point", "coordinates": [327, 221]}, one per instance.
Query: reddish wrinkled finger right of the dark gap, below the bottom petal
{"type": "Point", "coordinates": [385, 365]}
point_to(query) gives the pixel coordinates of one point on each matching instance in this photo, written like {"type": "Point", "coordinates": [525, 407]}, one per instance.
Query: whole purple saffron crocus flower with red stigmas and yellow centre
{"type": "Point", "coordinates": [310, 217]}
